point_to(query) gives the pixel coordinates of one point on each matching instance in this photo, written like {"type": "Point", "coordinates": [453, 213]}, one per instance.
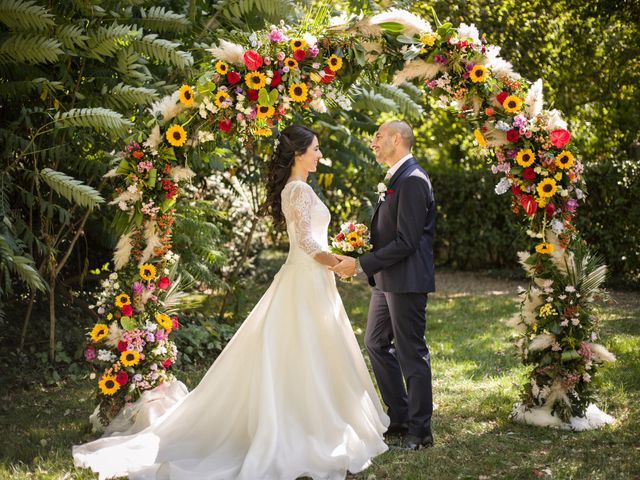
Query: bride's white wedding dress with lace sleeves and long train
{"type": "Point", "coordinates": [289, 396]}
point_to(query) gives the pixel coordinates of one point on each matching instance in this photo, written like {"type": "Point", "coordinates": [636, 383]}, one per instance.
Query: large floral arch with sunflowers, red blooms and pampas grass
{"type": "Point", "coordinates": [252, 87]}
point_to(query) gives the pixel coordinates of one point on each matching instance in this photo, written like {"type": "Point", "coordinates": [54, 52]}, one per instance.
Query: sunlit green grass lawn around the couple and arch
{"type": "Point", "coordinates": [476, 380]}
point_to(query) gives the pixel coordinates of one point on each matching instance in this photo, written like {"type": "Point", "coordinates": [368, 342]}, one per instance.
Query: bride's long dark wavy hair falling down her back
{"type": "Point", "coordinates": [293, 140]}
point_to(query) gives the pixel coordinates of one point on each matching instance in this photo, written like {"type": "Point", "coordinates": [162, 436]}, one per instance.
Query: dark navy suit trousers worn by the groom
{"type": "Point", "coordinates": [400, 357]}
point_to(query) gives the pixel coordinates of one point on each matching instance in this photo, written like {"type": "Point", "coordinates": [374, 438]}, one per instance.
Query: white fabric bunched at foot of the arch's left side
{"type": "Point", "coordinates": [138, 415]}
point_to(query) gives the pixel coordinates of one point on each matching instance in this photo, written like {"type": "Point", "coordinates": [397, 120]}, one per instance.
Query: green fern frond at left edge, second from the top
{"type": "Point", "coordinates": [29, 48]}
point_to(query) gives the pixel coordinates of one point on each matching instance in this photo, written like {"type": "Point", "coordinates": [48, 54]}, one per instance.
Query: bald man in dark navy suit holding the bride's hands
{"type": "Point", "coordinates": [401, 271]}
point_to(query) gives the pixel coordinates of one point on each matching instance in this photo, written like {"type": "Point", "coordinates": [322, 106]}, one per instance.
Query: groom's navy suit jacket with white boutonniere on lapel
{"type": "Point", "coordinates": [402, 233]}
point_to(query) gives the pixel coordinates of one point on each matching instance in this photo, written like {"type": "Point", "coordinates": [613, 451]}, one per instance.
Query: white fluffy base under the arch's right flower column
{"type": "Point", "coordinates": [543, 417]}
